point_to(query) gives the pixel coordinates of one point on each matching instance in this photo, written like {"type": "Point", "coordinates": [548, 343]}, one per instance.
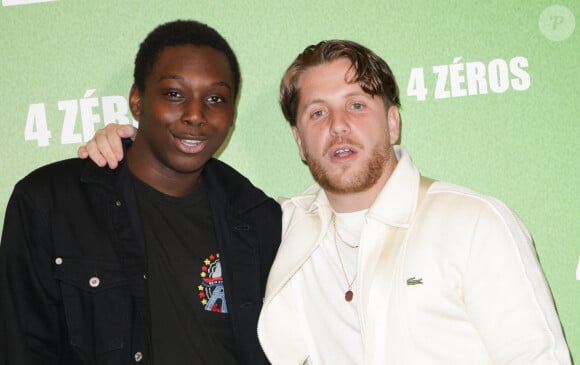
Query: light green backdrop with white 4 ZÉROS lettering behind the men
{"type": "Point", "coordinates": [489, 91]}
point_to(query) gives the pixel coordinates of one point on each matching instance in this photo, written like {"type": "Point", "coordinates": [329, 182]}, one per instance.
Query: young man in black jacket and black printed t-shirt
{"type": "Point", "coordinates": [161, 261]}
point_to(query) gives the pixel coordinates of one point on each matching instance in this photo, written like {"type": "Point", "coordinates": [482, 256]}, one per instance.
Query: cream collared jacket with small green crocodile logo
{"type": "Point", "coordinates": [479, 294]}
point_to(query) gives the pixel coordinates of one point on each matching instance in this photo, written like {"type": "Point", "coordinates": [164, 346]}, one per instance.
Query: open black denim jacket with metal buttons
{"type": "Point", "coordinates": [73, 266]}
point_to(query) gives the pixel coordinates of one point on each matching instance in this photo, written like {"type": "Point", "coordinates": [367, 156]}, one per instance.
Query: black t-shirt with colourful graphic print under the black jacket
{"type": "Point", "coordinates": [190, 320]}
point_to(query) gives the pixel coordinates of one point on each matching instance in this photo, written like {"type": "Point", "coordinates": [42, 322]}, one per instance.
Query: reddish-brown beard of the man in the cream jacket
{"type": "Point", "coordinates": [367, 175]}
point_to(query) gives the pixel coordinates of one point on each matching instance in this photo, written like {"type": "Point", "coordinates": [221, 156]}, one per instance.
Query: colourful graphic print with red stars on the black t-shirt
{"type": "Point", "coordinates": [211, 290]}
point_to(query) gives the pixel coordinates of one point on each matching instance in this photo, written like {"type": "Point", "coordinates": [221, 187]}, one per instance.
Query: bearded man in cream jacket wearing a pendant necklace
{"type": "Point", "coordinates": [379, 265]}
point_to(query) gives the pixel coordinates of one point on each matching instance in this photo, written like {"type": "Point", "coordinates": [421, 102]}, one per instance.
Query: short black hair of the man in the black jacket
{"type": "Point", "coordinates": [176, 33]}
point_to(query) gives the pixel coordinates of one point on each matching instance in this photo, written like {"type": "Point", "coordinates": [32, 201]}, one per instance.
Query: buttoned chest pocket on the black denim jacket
{"type": "Point", "coordinates": [97, 303]}
